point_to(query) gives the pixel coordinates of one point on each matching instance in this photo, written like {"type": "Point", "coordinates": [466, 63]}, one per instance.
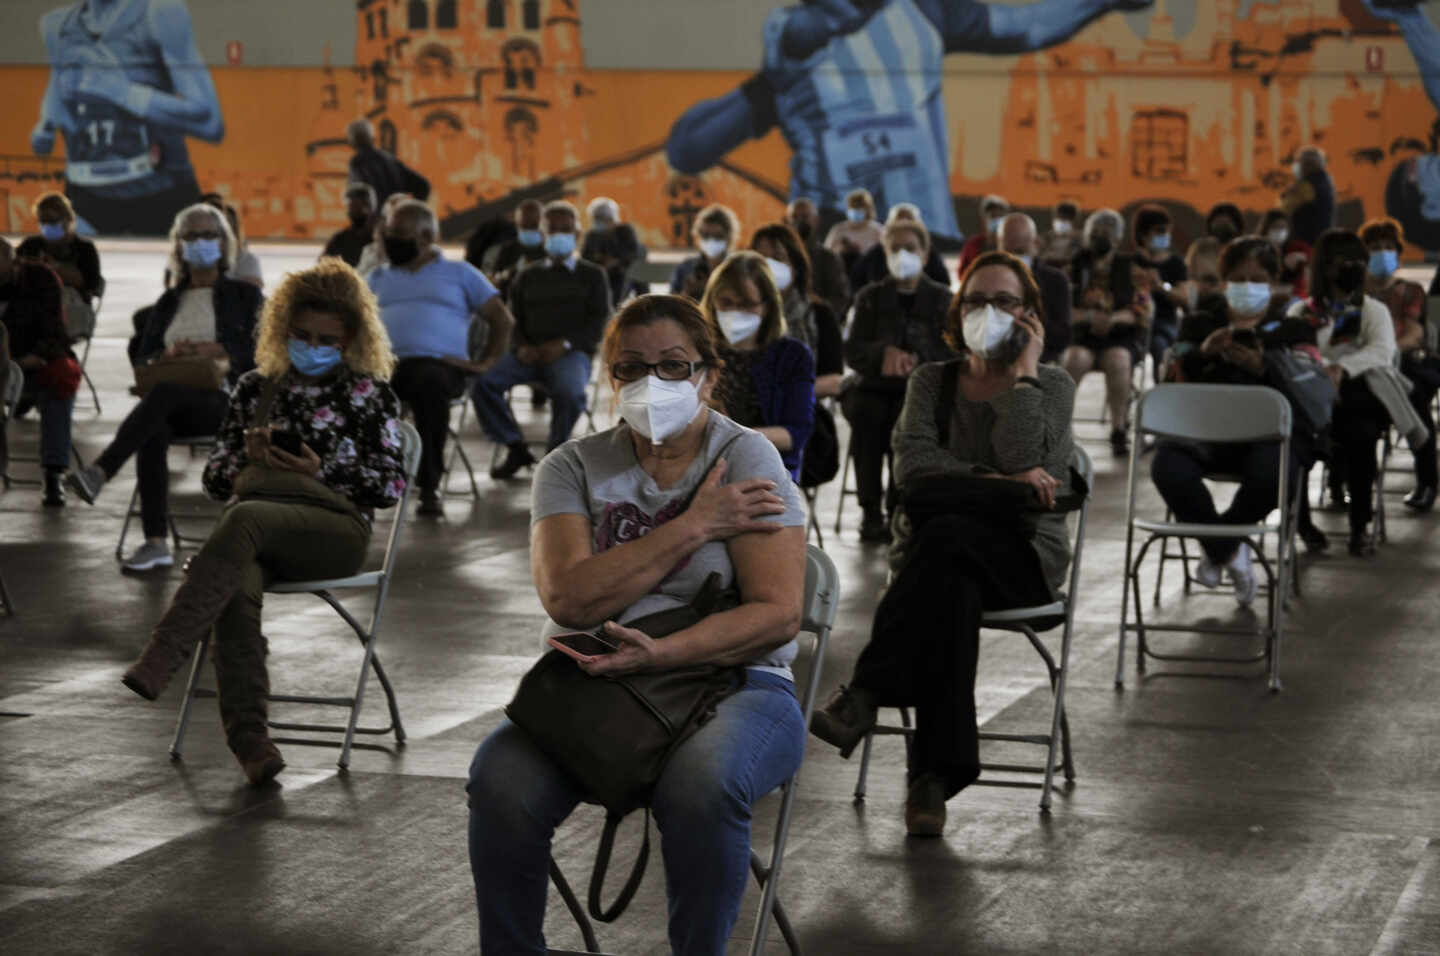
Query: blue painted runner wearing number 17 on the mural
{"type": "Point", "coordinates": [127, 87]}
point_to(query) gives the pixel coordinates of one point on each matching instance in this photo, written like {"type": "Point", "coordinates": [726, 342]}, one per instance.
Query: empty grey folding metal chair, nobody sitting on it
{"type": "Point", "coordinates": [1228, 415]}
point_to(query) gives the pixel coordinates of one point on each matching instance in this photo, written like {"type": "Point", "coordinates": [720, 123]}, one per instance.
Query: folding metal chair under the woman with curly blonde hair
{"type": "Point", "coordinates": [377, 581]}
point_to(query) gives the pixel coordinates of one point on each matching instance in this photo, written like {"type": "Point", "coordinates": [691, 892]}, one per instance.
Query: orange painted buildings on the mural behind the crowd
{"type": "Point", "coordinates": [1190, 102]}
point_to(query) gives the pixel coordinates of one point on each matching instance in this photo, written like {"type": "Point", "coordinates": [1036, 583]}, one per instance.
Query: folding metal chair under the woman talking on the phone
{"type": "Point", "coordinates": [1025, 621]}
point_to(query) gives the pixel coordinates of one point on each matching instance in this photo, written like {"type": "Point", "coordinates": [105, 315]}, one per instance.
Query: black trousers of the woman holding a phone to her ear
{"type": "Point", "coordinates": [925, 643]}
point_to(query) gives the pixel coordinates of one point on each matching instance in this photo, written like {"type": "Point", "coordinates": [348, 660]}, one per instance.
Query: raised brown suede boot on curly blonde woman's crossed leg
{"type": "Point", "coordinates": [205, 592]}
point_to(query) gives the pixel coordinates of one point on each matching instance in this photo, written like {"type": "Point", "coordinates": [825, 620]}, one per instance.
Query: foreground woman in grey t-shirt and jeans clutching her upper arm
{"type": "Point", "coordinates": [626, 523]}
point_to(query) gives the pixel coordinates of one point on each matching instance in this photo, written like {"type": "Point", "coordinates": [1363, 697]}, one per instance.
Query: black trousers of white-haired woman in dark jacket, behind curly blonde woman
{"type": "Point", "coordinates": [166, 412]}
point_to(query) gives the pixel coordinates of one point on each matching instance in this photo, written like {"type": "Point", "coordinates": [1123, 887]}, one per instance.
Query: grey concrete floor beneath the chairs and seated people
{"type": "Point", "coordinates": [1209, 817]}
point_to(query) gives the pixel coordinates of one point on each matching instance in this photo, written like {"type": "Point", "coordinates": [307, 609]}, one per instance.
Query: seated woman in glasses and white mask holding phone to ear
{"type": "Point", "coordinates": [1004, 418]}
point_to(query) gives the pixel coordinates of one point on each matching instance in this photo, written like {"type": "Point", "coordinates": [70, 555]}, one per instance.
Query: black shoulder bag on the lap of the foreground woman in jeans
{"type": "Point", "coordinates": [616, 735]}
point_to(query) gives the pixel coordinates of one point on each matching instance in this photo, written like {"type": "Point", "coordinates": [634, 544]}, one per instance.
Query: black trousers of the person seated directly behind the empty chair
{"type": "Point", "coordinates": [1179, 473]}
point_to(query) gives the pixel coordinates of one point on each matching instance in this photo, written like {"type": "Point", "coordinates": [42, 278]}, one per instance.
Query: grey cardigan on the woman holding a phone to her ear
{"type": "Point", "coordinates": [1009, 434]}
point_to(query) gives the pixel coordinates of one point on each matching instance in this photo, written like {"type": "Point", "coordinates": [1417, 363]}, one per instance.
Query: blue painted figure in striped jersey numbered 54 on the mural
{"type": "Point", "coordinates": [855, 87]}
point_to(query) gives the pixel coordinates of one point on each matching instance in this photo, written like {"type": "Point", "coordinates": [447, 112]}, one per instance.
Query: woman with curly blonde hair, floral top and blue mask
{"type": "Point", "coordinates": [309, 448]}
